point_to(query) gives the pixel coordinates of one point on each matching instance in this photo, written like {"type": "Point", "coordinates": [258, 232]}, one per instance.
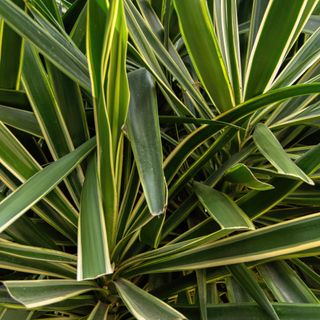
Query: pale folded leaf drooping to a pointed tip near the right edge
{"type": "Point", "coordinates": [271, 148]}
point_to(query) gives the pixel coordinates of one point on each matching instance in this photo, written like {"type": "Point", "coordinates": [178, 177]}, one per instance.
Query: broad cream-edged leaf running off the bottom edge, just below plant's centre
{"type": "Point", "coordinates": [143, 305]}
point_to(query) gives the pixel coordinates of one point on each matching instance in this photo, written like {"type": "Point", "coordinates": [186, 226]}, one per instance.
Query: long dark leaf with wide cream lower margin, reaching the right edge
{"type": "Point", "coordinates": [273, 241]}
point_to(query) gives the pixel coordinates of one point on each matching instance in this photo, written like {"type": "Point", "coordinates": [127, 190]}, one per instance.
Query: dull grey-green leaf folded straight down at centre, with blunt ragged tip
{"type": "Point", "coordinates": [144, 134]}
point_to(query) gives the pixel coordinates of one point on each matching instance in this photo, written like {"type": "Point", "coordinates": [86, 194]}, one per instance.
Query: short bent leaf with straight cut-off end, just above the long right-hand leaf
{"type": "Point", "coordinates": [222, 208]}
